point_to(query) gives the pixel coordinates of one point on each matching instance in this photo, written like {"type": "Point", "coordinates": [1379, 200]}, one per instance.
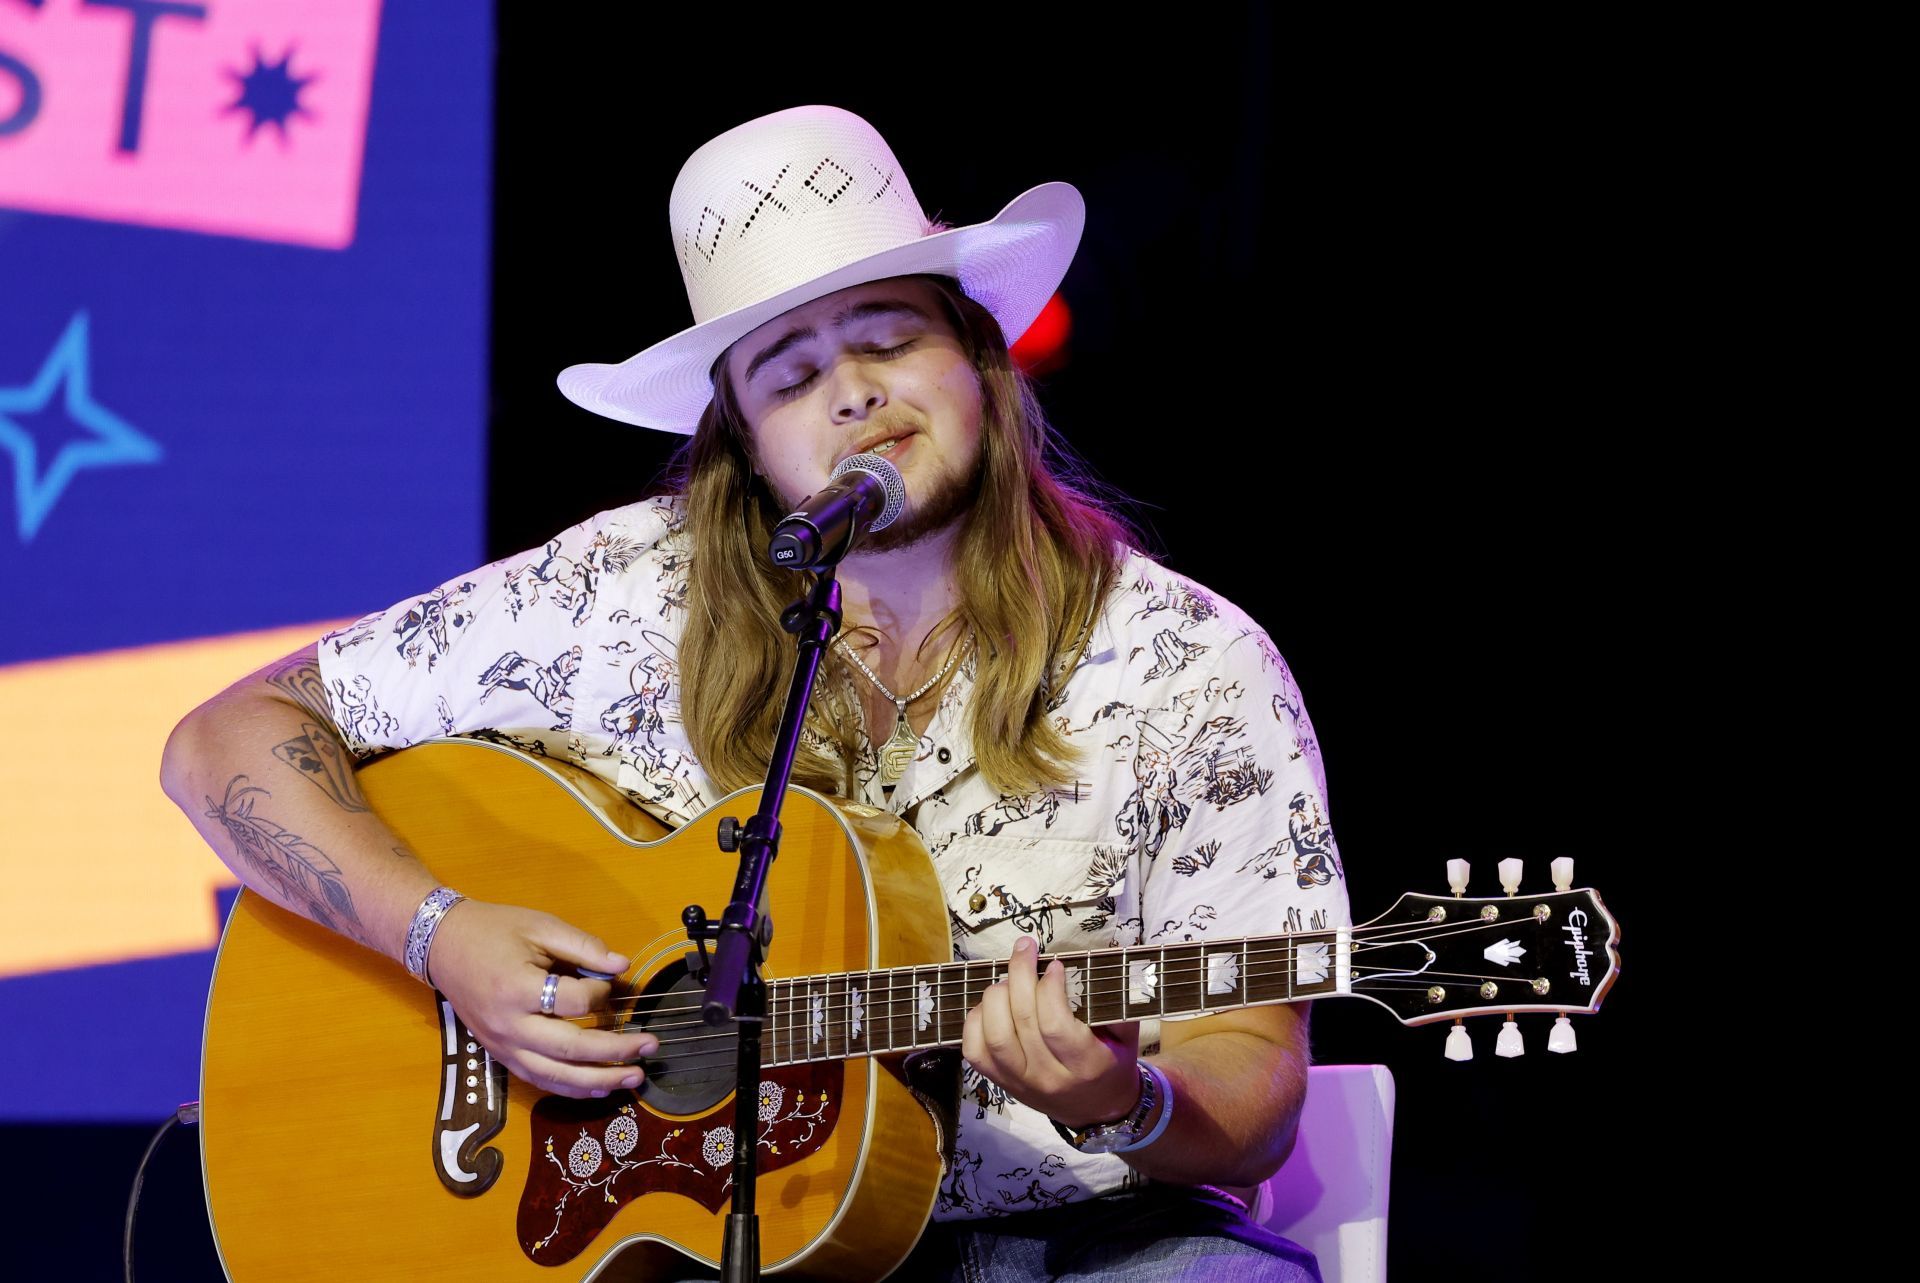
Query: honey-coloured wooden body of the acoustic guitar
{"type": "Point", "coordinates": [352, 1132]}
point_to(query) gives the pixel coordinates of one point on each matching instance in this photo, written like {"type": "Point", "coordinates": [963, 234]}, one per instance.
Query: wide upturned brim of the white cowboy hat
{"type": "Point", "coordinates": [1011, 266]}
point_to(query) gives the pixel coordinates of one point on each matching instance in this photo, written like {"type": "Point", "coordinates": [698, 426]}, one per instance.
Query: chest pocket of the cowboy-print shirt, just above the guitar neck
{"type": "Point", "coordinates": [1059, 890]}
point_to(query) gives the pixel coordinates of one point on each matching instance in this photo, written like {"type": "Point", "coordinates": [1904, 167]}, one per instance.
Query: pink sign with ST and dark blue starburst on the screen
{"type": "Point", "coordinates": [243, 118]}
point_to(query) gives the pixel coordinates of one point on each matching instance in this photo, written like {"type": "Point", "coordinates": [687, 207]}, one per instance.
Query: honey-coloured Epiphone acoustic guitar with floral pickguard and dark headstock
{"type": "Point", "coordinates": [352, 1126]}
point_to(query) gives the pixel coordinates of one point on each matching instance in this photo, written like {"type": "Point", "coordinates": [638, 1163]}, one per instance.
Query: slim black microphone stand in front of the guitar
{"type": "Point", "coordinates": [736, 990]}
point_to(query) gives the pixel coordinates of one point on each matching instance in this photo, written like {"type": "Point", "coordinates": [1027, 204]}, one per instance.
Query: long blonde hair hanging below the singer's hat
{"type": "Point", "coordinates": [1036, 558]}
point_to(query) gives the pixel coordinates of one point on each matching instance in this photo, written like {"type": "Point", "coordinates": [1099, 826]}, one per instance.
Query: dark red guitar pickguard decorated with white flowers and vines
{"type": "Point", "coordinates": [594, 1157]}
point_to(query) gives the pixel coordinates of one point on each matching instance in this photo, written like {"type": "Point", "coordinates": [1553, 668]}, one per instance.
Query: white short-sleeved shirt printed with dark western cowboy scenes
{"type": "Point", "coordinates": [1199, 811]}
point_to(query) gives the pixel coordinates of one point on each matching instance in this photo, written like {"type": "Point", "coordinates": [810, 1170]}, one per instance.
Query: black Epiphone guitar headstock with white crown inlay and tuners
{"type": "Point", "coordinates": [1443, 957]}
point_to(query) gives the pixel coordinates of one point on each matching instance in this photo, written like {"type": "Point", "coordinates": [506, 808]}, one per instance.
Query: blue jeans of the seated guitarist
{"type": "Point", "coordinates": [1159, 1234]}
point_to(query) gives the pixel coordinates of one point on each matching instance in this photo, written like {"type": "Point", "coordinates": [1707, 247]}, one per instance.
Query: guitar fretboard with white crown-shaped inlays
{"type": "Point", "coordinates": [923, 1007]}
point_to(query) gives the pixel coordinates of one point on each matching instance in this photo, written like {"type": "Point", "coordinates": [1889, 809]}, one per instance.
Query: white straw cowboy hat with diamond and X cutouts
{"type": "Point", "coordinates": [800, 205]}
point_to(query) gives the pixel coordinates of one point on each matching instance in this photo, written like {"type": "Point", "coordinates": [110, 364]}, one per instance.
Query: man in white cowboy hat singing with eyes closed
{"type": "Point", "coordinates": [1095, 752]}
